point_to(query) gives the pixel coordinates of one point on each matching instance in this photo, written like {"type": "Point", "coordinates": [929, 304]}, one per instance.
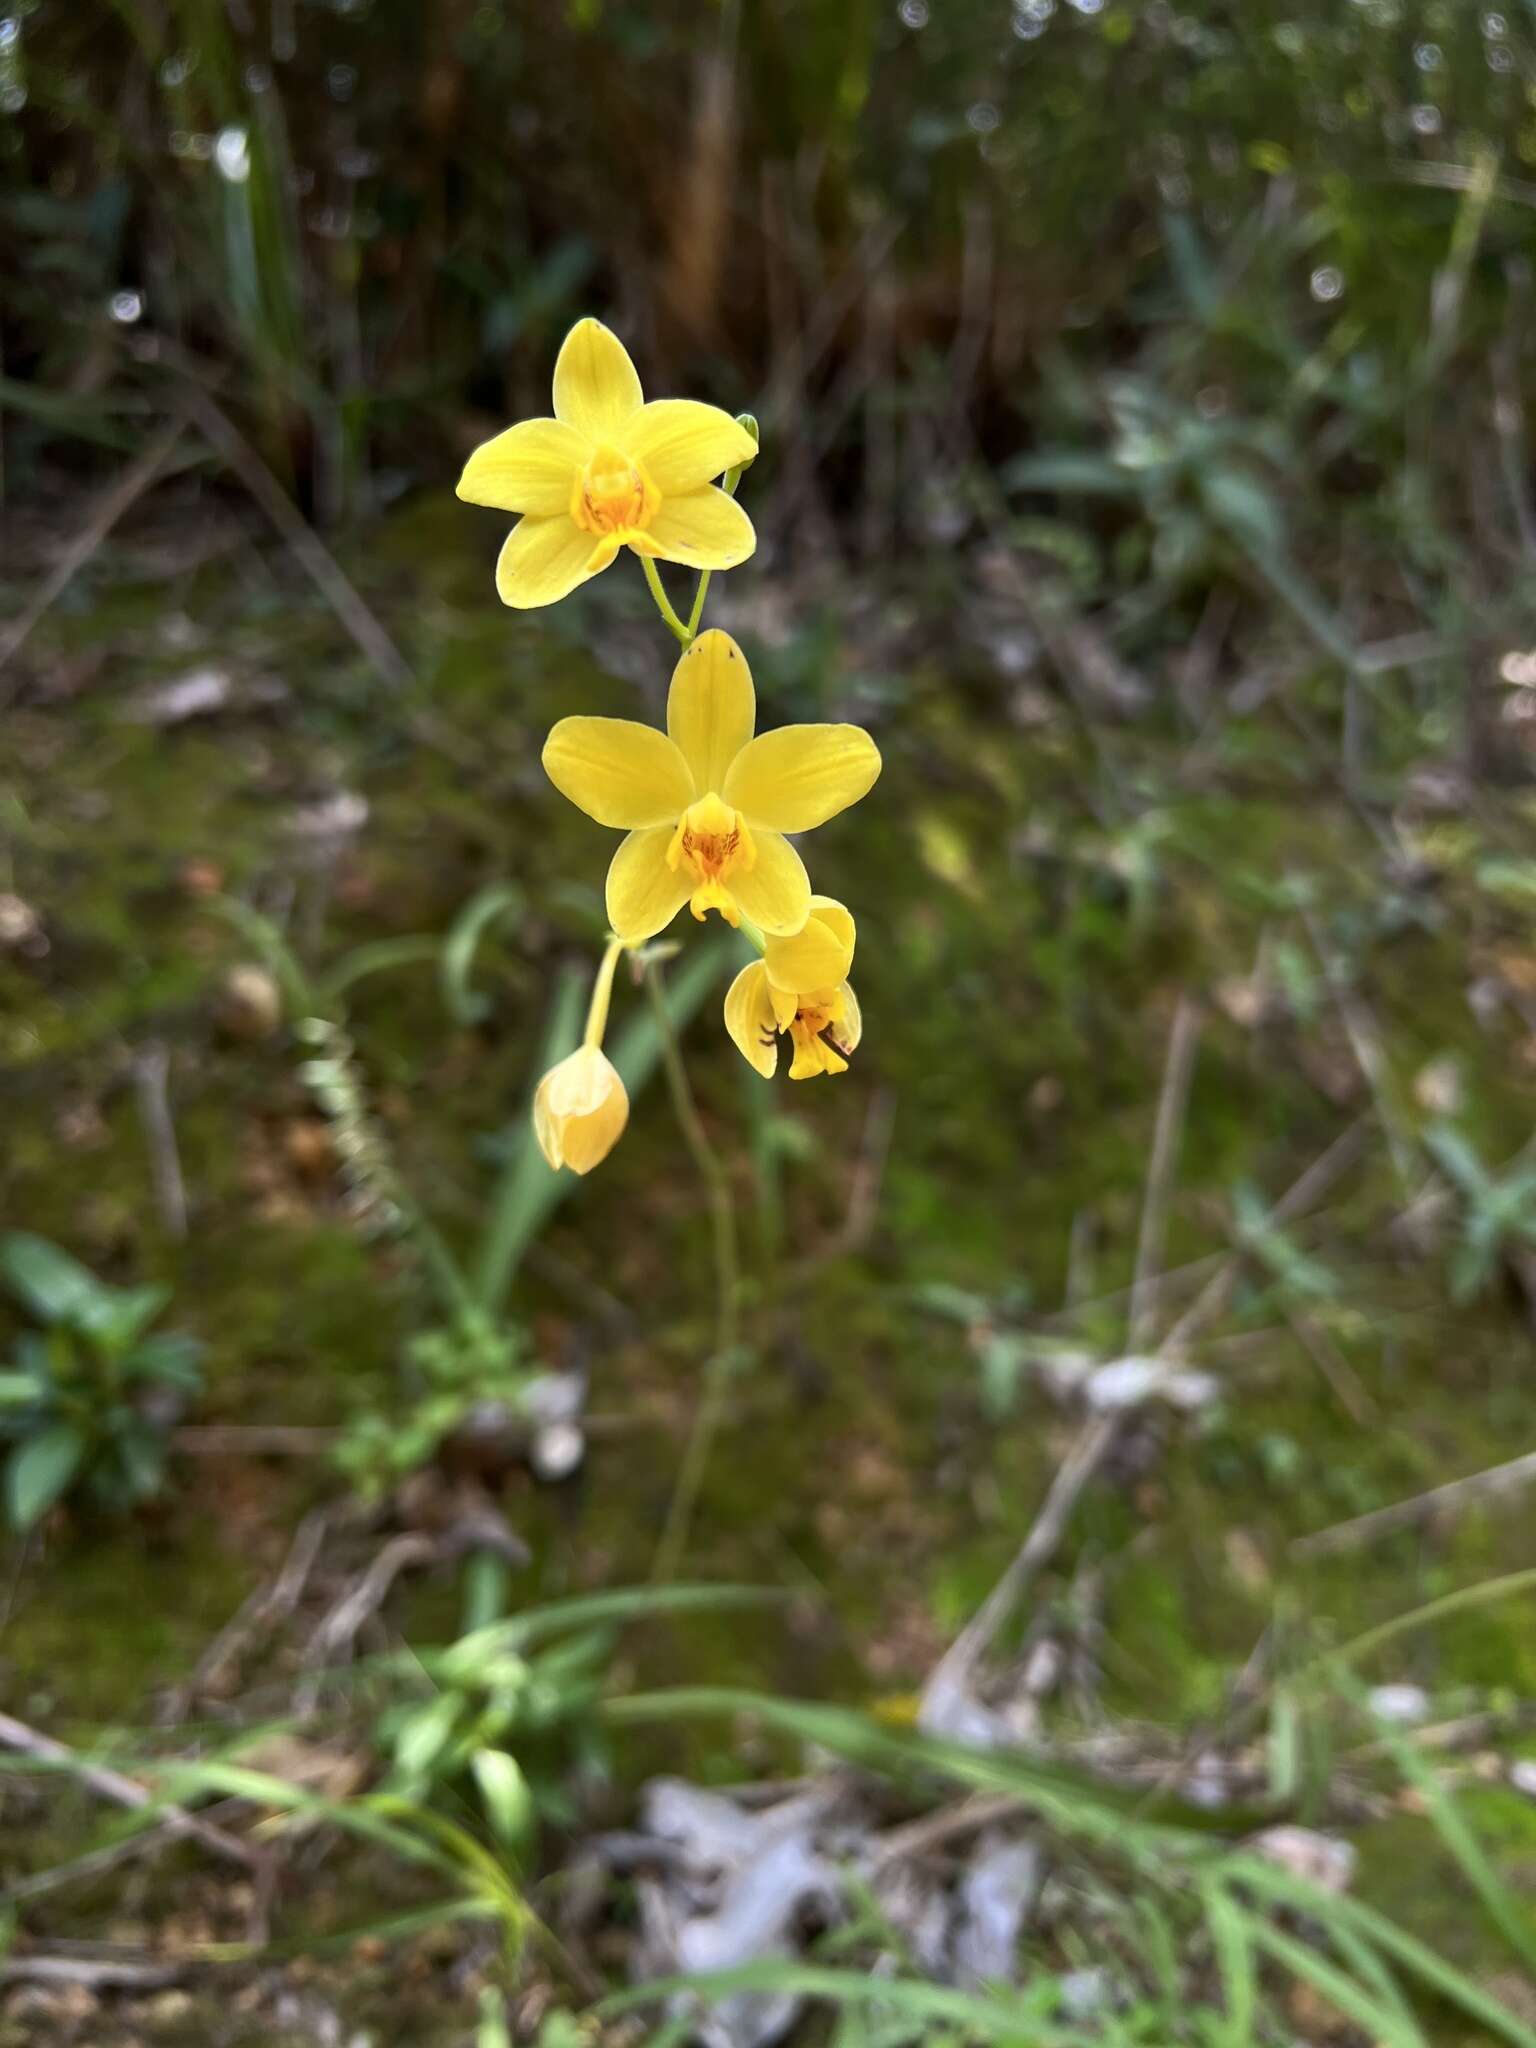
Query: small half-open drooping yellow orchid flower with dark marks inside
{"type": "Point", "coordinates": [800, 986]}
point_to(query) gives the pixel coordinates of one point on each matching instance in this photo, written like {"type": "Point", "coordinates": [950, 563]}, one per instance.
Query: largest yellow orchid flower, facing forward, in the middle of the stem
{"type": "Point", "coordinates": [706, 804]}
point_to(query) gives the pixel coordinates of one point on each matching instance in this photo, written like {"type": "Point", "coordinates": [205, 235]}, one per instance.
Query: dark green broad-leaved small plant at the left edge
{"type": "Point", "coordinates": [91, 1394]}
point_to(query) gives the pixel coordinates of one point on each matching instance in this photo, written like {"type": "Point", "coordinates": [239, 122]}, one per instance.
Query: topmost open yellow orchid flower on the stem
{"type": "Point", "coordinates": [609, 472]}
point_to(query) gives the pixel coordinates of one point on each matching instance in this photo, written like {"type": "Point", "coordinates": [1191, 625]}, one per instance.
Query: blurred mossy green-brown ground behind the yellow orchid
{"type": "Point", "coordinates": [1019, 968]}
